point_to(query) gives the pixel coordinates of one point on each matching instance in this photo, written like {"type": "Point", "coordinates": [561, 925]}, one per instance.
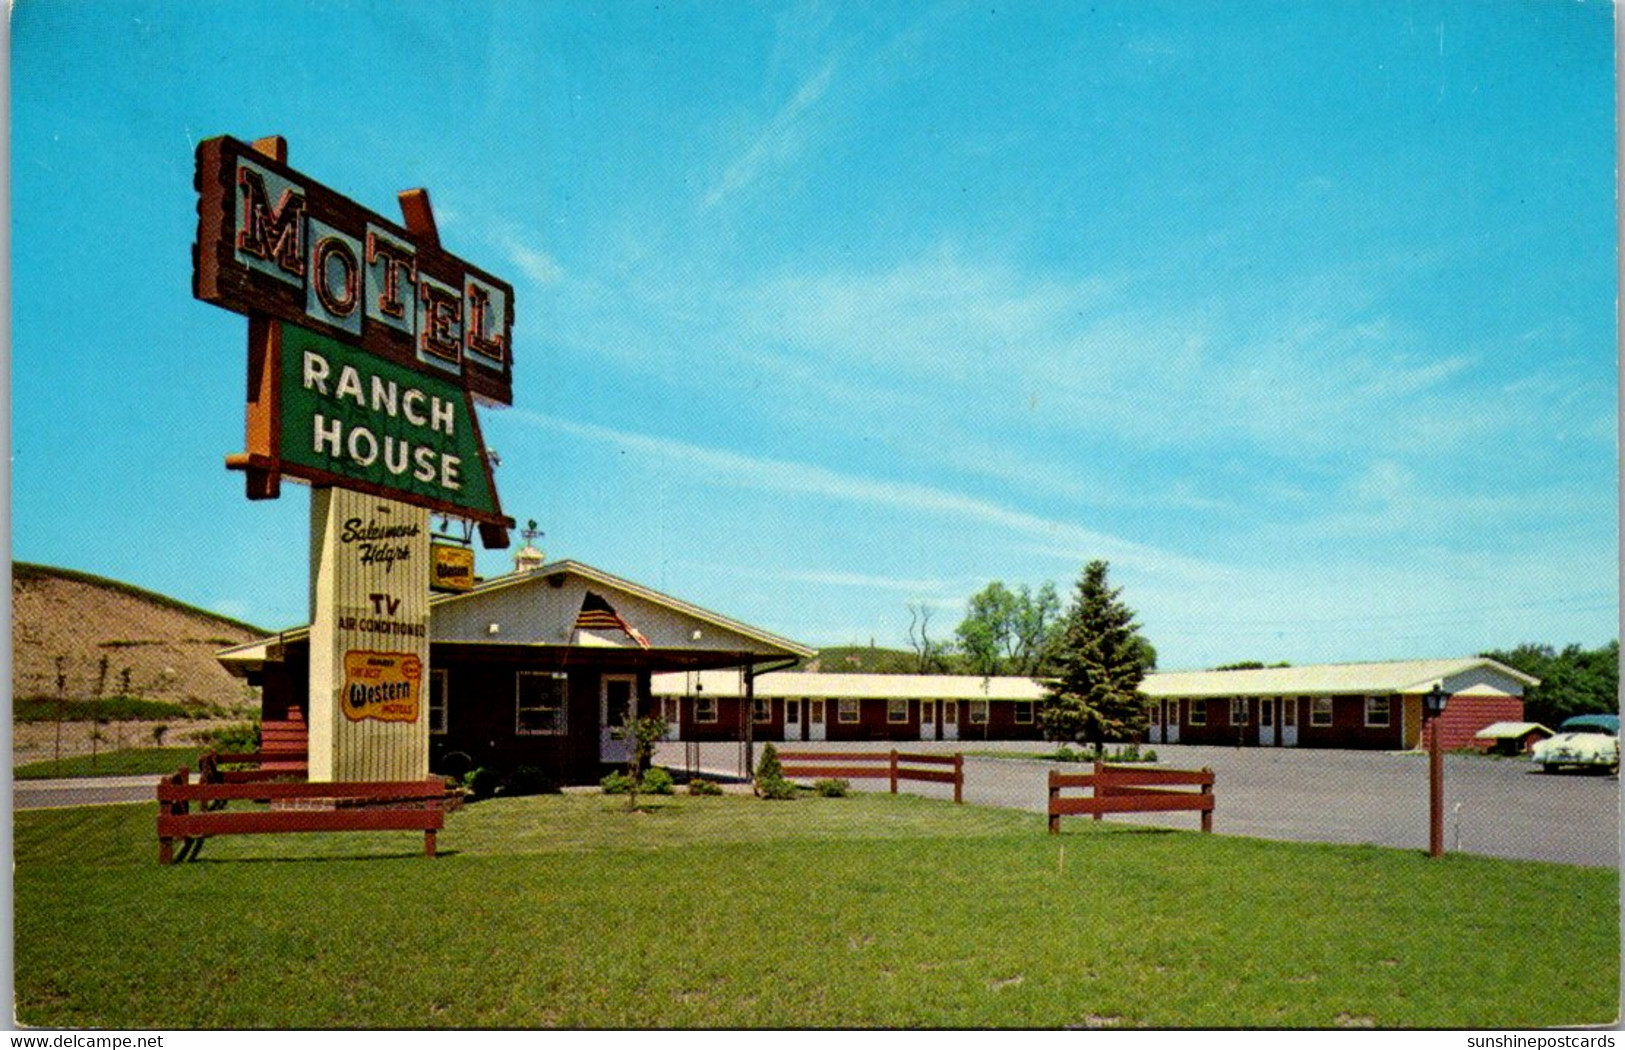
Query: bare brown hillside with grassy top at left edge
{"type": "Point", "coordinates": [110, 640]}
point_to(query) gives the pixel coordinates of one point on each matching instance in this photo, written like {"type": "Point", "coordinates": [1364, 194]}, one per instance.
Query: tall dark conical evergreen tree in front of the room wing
{"type": "Point", "coordinates": [1099, 664]}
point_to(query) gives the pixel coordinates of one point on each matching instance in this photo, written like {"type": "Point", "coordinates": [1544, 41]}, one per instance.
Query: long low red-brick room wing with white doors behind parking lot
{"type": "Point", "coordinates": [1372, 706]}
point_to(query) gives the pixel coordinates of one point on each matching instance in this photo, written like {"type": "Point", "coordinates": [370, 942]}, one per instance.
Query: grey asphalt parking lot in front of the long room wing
{"type": "Point", "coordinates": [1493, 807]}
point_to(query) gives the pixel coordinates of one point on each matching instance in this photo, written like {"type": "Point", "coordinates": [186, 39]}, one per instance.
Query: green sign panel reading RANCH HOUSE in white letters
{"type": "Point", "coordinates": [353, 417]}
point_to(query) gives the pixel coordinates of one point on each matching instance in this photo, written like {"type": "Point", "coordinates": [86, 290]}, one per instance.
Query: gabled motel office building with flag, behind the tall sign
{"type": "Point", "coordinates": [542, 666]}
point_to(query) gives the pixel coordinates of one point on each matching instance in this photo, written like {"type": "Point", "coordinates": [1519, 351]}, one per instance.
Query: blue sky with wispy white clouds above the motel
{"type": "Point", "coordinates": [1302, 316]}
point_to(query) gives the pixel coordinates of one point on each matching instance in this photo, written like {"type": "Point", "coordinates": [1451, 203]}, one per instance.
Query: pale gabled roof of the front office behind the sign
{"type": "Point", "coordinates": [683, 625]}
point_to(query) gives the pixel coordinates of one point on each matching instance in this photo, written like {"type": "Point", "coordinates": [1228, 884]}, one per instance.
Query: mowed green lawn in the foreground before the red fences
{"type": "Point", "coordinates": [737, 913]}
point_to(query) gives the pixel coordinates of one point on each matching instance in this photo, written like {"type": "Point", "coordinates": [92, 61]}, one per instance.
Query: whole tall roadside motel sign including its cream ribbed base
{"type": "Point", "coordinates": [368, 349]}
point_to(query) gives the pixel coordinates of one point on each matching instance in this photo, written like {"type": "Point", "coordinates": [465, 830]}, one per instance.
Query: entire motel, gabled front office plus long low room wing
{"type": "Point", "coordinates": [540, 667]}
